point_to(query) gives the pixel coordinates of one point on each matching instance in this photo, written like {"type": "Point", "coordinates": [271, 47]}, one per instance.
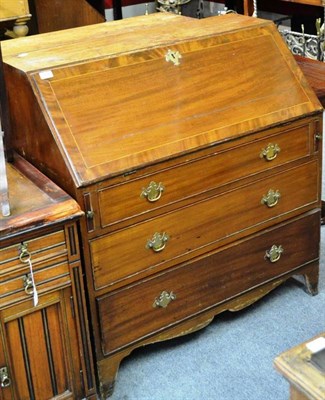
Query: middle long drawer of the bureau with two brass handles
{"type": "Point", "coordinates": [193, 230]}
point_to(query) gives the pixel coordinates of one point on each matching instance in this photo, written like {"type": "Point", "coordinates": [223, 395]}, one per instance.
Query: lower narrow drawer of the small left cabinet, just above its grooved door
{"type": "Point", "coordinates": [46, 279]}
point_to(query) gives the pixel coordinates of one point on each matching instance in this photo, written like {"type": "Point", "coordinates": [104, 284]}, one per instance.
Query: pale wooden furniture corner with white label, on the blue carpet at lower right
{"type": "Point", "coordinates": [307, 382]}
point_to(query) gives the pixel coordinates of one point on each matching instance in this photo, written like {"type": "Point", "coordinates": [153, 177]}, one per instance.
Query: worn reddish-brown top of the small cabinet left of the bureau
{"type": "Point", "coordinates": [35, 201]}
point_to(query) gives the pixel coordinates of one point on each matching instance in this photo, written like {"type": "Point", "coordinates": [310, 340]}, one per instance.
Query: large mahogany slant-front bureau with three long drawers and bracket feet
{"type": "Point", "coordinates": [194, 148]}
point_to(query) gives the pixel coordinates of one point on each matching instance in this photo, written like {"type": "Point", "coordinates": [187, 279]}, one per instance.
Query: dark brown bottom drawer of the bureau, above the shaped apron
{"type": "Point", "coordinates": [140, 310]}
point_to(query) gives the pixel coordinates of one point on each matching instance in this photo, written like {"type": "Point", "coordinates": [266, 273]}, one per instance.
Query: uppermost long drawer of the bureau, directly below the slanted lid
{"type": "Point", "coordinates": [198, 176]}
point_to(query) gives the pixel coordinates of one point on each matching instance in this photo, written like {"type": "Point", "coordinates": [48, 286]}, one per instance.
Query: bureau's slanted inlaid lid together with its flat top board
{"type": "Point", "coordinates": [121, 95]}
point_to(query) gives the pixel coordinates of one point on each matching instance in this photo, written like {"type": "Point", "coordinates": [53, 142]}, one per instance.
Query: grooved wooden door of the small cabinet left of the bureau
{"type": "Point", "coordinates": [40, 349]}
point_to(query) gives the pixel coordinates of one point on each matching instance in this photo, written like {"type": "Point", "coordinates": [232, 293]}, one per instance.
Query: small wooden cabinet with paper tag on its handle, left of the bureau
{"type": "Point", "coordinates": [44, 346]}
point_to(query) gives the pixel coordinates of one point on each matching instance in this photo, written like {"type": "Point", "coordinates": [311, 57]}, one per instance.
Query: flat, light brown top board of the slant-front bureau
{"type": "Point", "coordinates": [93, 42]}
